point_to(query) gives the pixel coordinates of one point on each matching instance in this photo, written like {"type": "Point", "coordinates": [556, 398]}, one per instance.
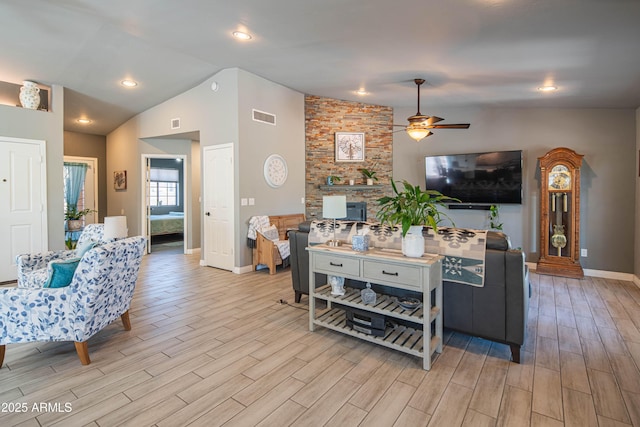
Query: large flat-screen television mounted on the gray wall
{"type": "Point", "coordinates": [477, 178]}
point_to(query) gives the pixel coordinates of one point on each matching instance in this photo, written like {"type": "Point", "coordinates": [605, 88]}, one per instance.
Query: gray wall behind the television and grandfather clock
{"type": "Point", "coordinates": [606, 138]}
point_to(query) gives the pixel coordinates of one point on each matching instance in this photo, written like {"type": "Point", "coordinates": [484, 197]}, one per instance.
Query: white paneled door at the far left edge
{"type": "Point", "coordinates": [23, 214]}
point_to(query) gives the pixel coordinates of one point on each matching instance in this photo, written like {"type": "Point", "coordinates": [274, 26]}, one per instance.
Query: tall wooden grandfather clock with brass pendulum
{"type": "Point", "coordinates": [560, 213]}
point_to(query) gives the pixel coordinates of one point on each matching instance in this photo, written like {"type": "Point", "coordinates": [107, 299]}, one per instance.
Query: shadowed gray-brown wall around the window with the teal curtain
{"type": "Point", "coordinates": [86, 145]}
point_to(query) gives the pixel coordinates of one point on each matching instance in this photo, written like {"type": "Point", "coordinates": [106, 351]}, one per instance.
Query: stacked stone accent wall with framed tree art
{"type": "Point", "coordinates": [326, 116]}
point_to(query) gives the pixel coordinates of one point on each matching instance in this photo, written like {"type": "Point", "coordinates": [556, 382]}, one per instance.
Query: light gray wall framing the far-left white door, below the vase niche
{"type": "Point", "coordinates": [48, 126]}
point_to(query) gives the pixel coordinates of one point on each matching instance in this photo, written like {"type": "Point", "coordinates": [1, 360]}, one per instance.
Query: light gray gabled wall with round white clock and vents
{"type": "Point", "coordinates": [222, 117]}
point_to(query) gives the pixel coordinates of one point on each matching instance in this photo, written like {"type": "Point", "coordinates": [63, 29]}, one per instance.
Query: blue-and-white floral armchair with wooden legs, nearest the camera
{"type": "Point", "coordinates": [99, 292]}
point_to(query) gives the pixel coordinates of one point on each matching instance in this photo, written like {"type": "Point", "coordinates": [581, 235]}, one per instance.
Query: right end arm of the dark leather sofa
{"type": "Point", "coordinates": [517, 295]}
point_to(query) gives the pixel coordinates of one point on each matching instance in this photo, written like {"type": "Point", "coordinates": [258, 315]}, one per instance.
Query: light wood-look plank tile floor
{"type": "Point", "coordinates": [212, 348]}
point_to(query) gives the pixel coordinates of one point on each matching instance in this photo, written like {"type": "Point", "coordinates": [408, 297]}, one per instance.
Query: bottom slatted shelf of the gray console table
{"type": "Point", "coordinates": [401, 338]}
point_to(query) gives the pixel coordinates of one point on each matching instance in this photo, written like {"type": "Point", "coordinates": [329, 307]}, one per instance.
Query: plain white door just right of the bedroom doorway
{"type": "Point", "coordinates": [218, 192]}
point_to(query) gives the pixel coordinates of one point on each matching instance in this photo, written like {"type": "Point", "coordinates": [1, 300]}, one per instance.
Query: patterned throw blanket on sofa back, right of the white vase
{"type": "Point", "coordinates": [463, 251]}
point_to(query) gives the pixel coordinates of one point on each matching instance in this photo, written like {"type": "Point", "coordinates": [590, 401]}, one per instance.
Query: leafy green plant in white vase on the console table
{"type": "Point", "coordinates": [413, 206]}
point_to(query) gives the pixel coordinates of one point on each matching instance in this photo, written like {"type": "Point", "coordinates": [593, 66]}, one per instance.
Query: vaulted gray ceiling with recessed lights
{"type": "Point", "coordinates": [471, 52]}
